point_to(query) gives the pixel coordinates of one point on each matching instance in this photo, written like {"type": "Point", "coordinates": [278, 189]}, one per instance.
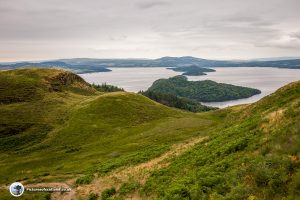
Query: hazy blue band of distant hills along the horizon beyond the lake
{"type": "Point", "coordinates": [85, 65]}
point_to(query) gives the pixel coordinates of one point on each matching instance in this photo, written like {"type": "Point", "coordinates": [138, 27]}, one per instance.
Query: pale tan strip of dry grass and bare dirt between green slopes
{"type": "Point", "coordinates": [138, 173]}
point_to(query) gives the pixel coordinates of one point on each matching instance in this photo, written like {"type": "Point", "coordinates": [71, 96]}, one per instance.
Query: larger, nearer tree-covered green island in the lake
{"type": "Point", "coordinates": [203, 91]}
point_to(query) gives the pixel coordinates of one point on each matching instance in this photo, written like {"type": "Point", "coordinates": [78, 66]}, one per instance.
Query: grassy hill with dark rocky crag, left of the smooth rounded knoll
{"type": "Point", "coordinates": [33, 100]}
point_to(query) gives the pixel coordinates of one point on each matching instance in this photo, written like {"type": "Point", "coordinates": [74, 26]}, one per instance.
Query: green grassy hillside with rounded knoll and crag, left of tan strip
{"type": "Point", "coordinates": [64, 128]}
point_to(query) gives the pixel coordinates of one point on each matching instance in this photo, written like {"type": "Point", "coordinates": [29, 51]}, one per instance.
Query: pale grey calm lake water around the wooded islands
{"type": "Point", "coordinates": [268, 80]}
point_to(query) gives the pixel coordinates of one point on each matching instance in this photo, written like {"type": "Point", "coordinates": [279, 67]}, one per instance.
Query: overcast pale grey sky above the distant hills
{"type": "Point", "coordinates": [212, 29]}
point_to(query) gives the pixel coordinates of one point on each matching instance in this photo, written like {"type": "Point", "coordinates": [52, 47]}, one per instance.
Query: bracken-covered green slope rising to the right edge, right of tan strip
{"type": "Point", "coordinates": [255, 155]}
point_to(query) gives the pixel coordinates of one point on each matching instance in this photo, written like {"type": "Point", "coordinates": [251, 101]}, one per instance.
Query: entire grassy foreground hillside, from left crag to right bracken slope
{"type": "Point", "coordinates": [59, 130]}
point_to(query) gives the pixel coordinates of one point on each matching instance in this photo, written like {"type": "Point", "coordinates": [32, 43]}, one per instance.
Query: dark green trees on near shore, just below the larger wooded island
{"type": "Point", "coordinates": [176, 102]}
